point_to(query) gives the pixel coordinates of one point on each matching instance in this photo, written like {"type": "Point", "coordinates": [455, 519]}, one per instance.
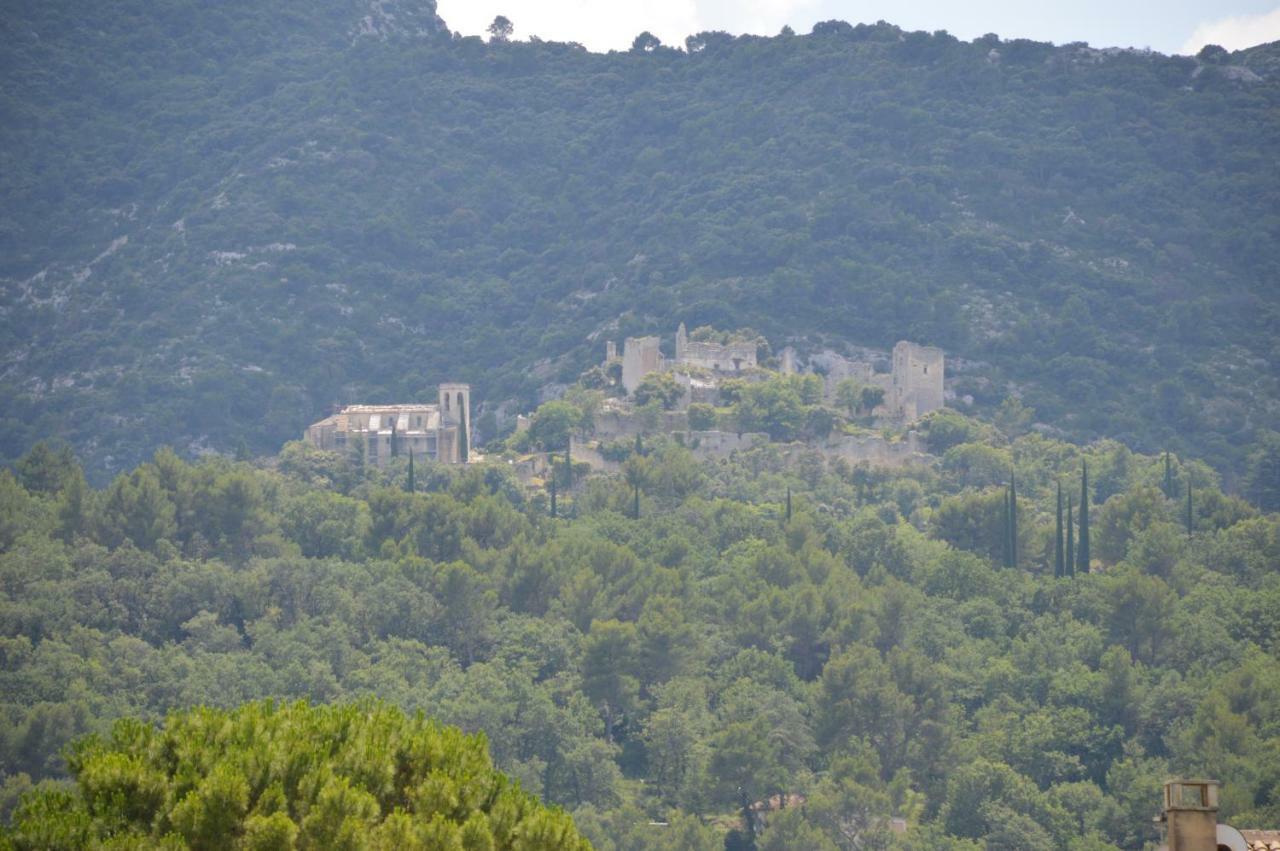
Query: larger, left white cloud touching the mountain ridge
{"type": "Point", "coordinates": [612, 25]}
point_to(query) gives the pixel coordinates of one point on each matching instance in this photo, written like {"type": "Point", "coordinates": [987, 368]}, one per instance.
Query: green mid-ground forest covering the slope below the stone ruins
{"type": "Point", "coordinates": [684, 640]}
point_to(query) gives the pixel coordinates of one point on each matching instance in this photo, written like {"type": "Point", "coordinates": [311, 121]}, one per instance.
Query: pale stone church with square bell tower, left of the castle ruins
{"type": "Point", "coordinates": [440, 432]}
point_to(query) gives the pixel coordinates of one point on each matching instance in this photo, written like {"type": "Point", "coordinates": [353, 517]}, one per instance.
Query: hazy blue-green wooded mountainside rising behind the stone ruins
{"type": "Point", "coordinates": [221, 219]}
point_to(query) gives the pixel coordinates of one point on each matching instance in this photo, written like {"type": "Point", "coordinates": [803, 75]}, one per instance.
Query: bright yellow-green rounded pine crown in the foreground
{"type": "Point", "coordinates": [284, 776]}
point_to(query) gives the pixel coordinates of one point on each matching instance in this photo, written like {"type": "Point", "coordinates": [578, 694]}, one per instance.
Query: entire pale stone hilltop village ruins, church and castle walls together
{"type": "Point", "coordinates": [911, 387]}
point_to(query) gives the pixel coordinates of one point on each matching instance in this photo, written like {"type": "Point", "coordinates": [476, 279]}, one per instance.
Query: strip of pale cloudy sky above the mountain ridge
{"type": "Point", "coordinates": [1168, 26]}
